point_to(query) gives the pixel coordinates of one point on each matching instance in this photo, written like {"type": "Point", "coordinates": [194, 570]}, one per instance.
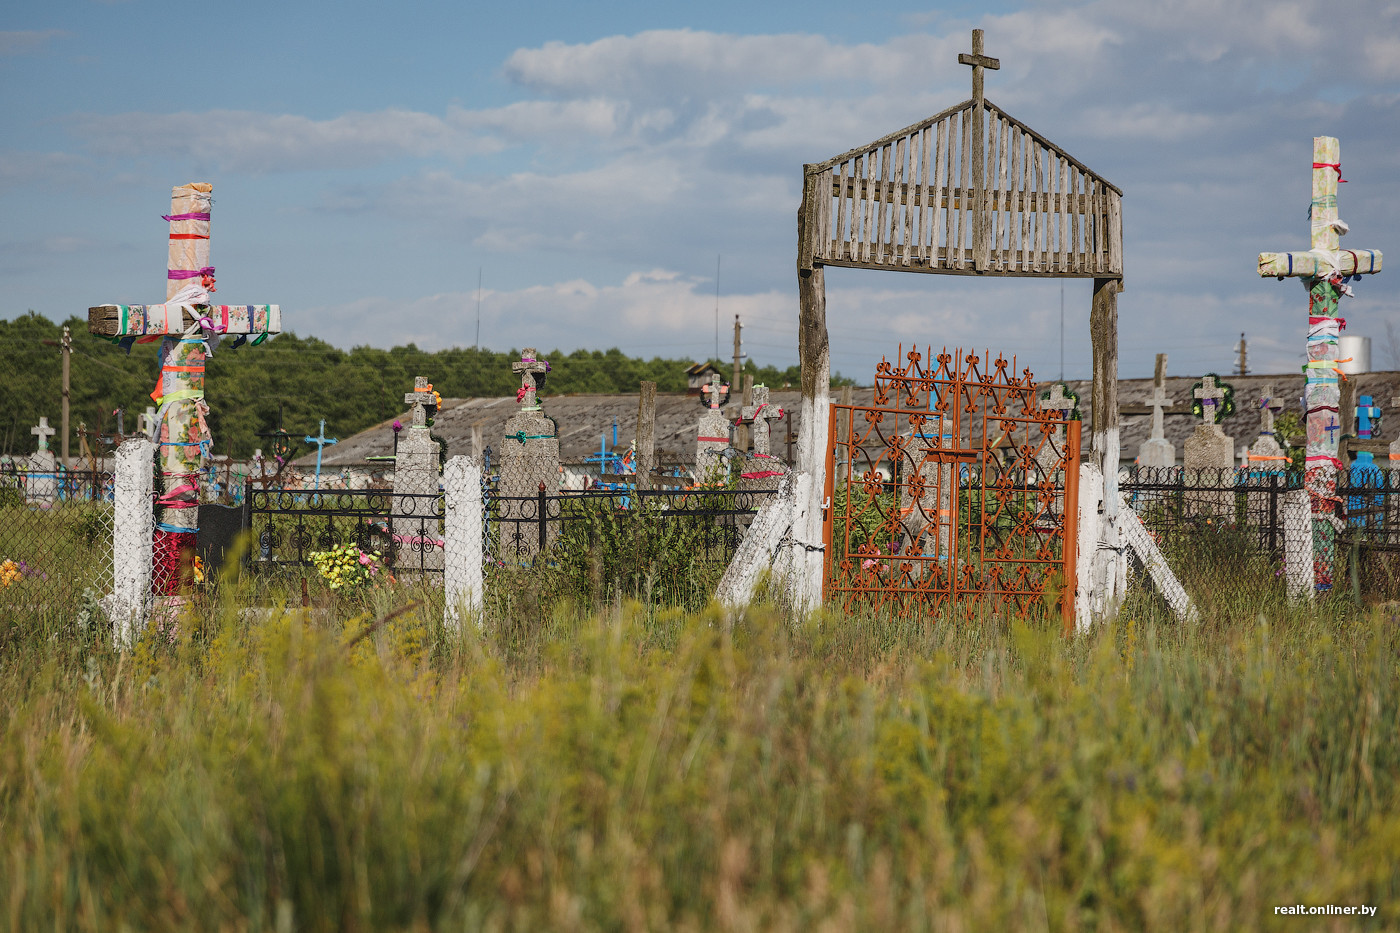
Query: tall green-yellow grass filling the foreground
{"type": "Point", "coordinates": [633, 768]}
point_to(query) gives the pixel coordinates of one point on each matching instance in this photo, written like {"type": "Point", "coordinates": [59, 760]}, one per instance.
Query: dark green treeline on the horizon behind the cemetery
{"type": "Point", "coordinates": [302, 379]}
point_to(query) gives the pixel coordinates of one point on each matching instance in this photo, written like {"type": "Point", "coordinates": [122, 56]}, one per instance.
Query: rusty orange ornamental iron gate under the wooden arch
{"type": "Point", "coordinates": [955, 488]}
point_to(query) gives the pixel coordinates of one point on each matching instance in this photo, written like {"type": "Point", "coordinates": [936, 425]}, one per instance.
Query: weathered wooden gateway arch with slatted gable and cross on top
{"type": "Point", "coordinates": [969, 191]}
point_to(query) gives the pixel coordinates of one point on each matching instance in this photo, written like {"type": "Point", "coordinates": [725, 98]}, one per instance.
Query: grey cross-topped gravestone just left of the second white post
{"type": "Point", "coordinates": [415, 523]}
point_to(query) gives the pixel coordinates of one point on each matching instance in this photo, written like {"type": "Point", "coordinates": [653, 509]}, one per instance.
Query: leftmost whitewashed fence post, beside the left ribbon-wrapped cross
{"type": "Point", "coordinates": [134, 532]}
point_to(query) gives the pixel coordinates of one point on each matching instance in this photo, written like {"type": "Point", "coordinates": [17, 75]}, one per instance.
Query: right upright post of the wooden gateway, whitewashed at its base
{"type": "Point", "coordinates": [1104, 331]}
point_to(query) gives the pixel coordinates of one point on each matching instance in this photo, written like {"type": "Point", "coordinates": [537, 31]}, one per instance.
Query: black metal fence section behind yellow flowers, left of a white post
{"type": "Point", "coordinates": [404, 530]}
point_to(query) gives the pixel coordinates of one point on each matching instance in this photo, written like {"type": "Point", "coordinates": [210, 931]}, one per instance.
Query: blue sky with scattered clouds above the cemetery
{"type": "Point", "coordinates": [594, 166]}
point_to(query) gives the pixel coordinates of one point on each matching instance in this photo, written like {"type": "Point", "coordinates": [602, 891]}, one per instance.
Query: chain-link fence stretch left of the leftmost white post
{"type": "Point", "coordinates": [55, 543]}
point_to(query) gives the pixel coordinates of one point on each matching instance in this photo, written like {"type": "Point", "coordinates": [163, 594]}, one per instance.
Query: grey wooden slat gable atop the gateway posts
{"type": "Point", "coordinates": [906, 202]}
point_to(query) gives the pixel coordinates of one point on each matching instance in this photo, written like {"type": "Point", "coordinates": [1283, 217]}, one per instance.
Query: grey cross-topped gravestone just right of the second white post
{"type": "Point", "coordinates": [530, 460]}
